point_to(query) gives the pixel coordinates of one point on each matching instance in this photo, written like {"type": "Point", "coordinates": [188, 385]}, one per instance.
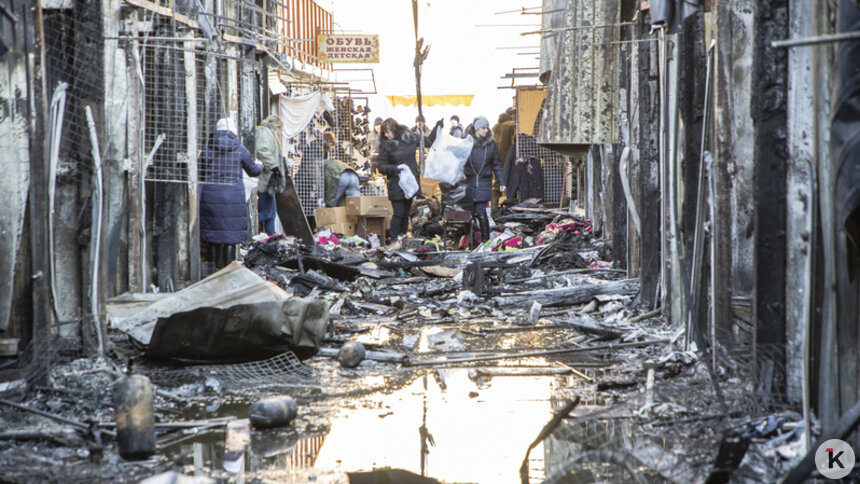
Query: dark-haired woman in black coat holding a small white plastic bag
{"type": "Point", "coordinates": [398, 146]}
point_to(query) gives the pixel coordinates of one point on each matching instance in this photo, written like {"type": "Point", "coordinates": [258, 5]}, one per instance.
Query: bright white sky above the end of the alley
{"type": "Point", "coordinates": [464, 58]}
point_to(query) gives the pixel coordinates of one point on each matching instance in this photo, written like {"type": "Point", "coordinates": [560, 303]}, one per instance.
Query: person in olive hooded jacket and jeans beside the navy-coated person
{"type": "Point", "coordinates": [267, 149]}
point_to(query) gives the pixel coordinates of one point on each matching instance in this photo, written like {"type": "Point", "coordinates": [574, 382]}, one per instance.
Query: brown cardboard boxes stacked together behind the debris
{"type": "Point", "coordinates": [361, 216]}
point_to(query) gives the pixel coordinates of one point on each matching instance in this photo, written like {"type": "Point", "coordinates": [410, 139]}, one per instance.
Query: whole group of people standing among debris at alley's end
{"type": "Point", "coordinates": [393, 151]}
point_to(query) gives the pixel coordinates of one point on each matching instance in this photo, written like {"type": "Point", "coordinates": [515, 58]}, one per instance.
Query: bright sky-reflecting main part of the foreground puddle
{"type": "Point", "coordinates": [480, 435]}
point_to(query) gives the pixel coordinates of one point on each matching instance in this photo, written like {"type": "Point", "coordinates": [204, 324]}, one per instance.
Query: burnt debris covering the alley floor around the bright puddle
{"type": "Point", "coordinates": [270, 348]}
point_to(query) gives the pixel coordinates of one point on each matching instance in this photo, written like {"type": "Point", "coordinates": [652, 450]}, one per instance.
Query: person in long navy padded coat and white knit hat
{"type": "Point", "coordinates": [223, 212]}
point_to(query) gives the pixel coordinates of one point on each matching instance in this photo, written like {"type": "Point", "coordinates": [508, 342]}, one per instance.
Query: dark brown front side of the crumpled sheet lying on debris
{"type": "Point", "coordinates": [244, 331]}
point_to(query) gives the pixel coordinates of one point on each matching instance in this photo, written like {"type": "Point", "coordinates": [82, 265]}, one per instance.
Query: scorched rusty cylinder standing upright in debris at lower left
{"type": "Point", "coordinates": [135, 421]}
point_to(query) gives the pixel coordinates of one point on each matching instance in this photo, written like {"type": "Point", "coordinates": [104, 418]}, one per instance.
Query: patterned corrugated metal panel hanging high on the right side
{"type": "Point", "coordinates": [582, 93]}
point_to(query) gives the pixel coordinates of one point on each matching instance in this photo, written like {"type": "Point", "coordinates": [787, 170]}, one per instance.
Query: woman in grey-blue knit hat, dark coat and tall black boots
{"type": "Point", "coordinates": [482, 164]}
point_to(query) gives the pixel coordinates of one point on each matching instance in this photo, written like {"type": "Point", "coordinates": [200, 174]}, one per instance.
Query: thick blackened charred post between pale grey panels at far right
{"type": "Point", "coordinates": [771, 153]}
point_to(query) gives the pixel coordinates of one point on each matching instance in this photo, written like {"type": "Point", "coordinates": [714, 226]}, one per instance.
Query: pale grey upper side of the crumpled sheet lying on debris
{"type": "Point", "coordinates": [232, 285]}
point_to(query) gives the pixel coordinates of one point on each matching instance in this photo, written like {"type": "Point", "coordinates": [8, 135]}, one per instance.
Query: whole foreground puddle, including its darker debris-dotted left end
{"type": "Point", "coordinates": [466, 433]}
